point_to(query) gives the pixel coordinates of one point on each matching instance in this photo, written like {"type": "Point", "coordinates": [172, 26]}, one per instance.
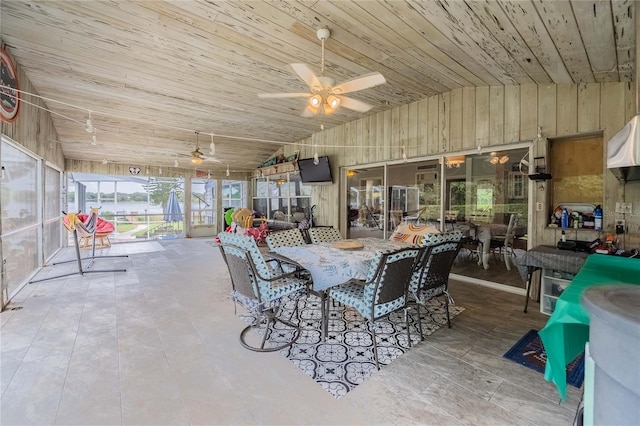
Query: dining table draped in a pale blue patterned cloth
{"type": "Point", "coordinates": [330, 266]}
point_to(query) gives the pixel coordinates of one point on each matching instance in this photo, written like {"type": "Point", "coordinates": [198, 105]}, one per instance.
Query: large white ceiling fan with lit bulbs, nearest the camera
{"type": "Point", "coordinates": [324, 96]}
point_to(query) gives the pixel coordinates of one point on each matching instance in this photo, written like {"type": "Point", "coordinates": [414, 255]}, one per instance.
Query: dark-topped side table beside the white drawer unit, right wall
{"type": "Point", "coordinates": [548, 257]}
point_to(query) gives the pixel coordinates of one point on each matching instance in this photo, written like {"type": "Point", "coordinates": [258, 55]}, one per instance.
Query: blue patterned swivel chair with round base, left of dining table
{"type": "Point", "coordinates": [262, 291]}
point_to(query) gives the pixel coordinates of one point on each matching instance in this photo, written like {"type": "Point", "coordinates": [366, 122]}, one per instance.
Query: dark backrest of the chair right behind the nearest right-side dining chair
{"type": "Point", "coordinates": [432, 272]}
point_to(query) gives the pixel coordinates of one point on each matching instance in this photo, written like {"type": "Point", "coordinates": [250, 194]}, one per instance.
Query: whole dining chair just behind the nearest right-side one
{"type": "Point", "coordinates": [430, 279]}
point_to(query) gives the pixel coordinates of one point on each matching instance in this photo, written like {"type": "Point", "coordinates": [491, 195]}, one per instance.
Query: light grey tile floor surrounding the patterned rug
{"type": "Point", "coordinates": [158, 345]}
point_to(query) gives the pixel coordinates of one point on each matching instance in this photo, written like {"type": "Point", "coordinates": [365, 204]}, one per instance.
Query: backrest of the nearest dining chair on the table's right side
{"type": "Point", "coordinates": [386, 290]}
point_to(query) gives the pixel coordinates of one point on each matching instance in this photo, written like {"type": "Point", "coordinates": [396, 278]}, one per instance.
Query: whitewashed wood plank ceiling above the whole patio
{"type": "Point", "coordinates": [155, 72]}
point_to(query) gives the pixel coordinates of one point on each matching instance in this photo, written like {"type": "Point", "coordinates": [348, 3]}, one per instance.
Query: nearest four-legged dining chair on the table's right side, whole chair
{"type": "Point", "coordinates": [384, 291]}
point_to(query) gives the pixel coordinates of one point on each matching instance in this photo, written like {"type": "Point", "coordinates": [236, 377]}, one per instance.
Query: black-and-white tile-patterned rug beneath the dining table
{"type": "Point", "coordinates": [346, 358]}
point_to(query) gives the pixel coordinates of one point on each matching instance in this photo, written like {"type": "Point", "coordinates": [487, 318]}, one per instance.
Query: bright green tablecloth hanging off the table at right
{"type": "Point", "coordinates": [567, 331]}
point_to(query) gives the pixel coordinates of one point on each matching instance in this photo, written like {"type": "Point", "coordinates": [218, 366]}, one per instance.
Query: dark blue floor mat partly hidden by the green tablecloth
{"type": "Point", "coordinates": [529, 351]}
